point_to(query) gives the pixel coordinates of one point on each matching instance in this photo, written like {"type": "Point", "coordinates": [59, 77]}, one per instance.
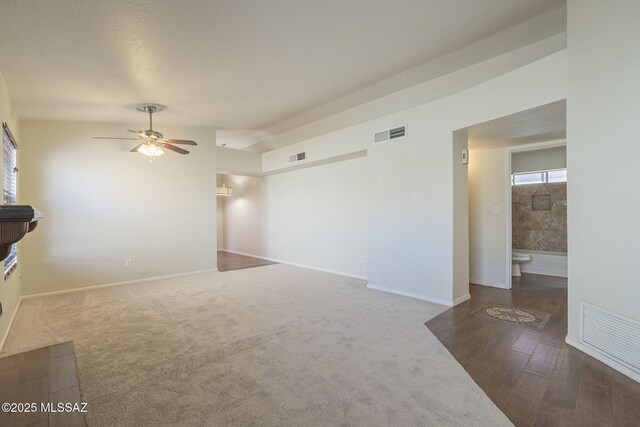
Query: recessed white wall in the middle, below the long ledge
{"type": "Point", "coordinates": [314, 216]}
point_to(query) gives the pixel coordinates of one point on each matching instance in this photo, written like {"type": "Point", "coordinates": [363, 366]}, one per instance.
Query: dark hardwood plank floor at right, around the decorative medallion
{"type": "Point", "coordinates": [534, 377]}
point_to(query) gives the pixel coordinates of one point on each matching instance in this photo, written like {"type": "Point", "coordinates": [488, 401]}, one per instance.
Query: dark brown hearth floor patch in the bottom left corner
{"type": "Point", "coordinates": [45, 375]}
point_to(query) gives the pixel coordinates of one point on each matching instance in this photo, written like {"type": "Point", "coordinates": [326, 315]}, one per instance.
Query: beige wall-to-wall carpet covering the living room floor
{"type": "Point", "coordinates": [271, 346]}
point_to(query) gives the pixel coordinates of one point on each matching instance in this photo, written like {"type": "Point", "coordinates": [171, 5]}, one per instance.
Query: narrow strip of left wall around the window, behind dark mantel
{"type": "Point", "coordinates": [11, 289]}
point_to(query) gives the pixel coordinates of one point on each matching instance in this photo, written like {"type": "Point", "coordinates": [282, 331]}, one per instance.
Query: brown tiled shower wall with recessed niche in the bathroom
{"type": "Point", "coordinates": [539, 217]}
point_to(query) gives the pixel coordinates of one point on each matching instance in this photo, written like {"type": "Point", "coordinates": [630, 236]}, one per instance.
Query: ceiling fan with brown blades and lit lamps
{"type": "Point", "coordinates": [151, 141]}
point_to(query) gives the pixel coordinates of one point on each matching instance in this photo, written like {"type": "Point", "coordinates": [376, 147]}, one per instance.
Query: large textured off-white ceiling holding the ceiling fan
{"type": "Point", "coordinates": [228, 64]}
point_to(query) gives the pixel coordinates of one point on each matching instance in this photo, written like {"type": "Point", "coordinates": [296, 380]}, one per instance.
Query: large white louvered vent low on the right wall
{"type": "Point", "coordinates": [611, 334]}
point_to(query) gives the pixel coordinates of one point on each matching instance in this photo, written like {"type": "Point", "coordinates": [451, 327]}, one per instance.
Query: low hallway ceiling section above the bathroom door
{"type": "Point", "coordinates": [540, 124]}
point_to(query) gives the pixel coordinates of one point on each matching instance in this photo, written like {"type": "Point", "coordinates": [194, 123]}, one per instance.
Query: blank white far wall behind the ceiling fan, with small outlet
{"type": "Point", "coordinates": [103, 204]}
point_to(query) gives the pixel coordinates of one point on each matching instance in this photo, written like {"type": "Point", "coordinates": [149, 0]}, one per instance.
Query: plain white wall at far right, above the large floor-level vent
{"type": "Point", "coordinates": [603, 131]}
